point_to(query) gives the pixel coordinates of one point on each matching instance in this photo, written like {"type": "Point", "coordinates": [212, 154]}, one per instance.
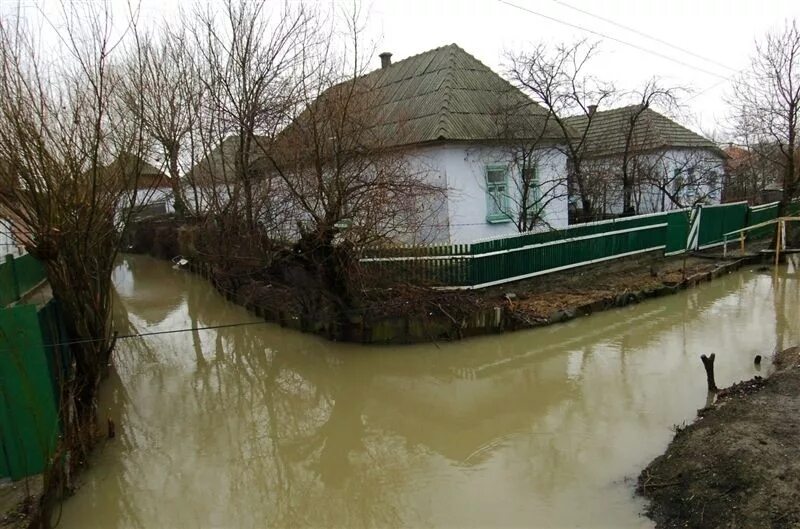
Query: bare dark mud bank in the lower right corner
{"type": "Point", "coordinates": [738, 464]}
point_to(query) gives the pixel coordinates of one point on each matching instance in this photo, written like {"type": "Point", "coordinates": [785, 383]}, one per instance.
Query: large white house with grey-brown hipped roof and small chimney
{"type": "Point", "coordinates": [447, 115]}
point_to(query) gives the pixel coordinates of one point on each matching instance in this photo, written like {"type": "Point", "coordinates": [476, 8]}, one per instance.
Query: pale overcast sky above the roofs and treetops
{"type": "Point", "coordinates": [722, 31]}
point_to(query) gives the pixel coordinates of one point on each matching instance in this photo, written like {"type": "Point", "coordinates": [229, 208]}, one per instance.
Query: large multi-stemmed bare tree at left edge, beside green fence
{"type": "Point", "coordinates": [60, 136]}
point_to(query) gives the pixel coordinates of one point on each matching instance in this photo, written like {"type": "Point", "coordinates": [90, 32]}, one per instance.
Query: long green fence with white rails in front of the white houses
{"type": "Point", "coordinates": [511, 258]}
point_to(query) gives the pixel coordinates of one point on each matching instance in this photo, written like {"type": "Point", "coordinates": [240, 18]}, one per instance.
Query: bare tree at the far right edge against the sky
{"type": "Point", "coordinates": [766, 103]}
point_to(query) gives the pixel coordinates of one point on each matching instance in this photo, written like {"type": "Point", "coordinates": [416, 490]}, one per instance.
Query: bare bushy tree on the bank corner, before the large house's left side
{"type": "Point", "coordinates": [349, 186]}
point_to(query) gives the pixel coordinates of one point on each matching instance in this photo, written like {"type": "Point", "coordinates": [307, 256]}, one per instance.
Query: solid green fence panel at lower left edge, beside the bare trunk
{"type": "Point", "coordinates": [28, 412]}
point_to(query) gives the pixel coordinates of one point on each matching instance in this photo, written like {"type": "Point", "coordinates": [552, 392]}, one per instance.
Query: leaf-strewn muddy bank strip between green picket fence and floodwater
{"type": "Point", "coordinates": [409, 315]}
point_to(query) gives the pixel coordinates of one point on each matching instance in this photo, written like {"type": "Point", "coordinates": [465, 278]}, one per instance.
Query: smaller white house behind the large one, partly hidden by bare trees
{"type": "Point", "coordinates": [669, 166]}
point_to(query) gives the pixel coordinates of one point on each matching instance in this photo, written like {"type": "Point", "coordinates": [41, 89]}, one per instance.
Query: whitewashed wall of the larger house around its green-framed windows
{"type": "Point", "coordinates": [462, 168]}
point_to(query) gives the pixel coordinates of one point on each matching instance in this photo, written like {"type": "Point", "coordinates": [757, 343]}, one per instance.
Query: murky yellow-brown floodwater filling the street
{"type": "Point", "coordinates": [257, 426]}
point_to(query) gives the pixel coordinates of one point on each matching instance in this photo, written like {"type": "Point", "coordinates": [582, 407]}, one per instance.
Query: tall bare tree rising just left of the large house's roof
{"type": "Point", "coordinates": [247, 57]}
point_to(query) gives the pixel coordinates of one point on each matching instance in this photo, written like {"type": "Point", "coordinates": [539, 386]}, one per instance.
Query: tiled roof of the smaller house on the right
{"type": "Point", "coordinates": [608, 129]}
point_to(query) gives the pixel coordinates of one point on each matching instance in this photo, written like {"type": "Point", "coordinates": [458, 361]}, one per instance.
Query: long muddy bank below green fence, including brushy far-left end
{"type": "Point", "coordinates": [409, 313]}
